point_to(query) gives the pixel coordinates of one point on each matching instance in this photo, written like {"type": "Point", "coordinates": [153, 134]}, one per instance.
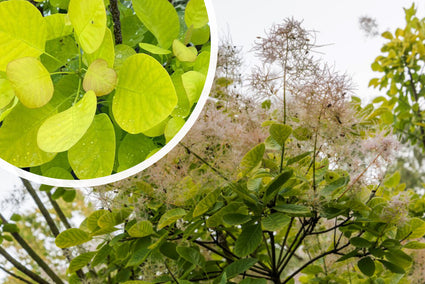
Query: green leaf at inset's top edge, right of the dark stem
{"type": "Point", "coordinates": [161, 19]}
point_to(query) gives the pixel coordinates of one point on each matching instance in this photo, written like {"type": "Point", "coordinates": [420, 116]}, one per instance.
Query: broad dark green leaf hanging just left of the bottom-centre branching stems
{"type": "Point", "coordinates": [249, 239]}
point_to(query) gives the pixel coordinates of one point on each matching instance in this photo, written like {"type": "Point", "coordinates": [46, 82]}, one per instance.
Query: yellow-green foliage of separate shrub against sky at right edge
{"type": "Point", "coordinates": [401, 62]}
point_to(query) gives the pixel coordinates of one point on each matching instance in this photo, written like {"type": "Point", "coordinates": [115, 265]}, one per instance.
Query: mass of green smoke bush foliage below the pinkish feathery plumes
{"type": "Point", "coordinates": [249, 230]}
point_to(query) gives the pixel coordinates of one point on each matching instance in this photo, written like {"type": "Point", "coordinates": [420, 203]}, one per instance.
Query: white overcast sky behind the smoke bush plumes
{"type": "Point", "coordinates": [336, 23]}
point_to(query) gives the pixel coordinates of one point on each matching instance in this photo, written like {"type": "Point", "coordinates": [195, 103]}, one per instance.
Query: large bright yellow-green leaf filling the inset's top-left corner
{"type": "Point", "coordinates": [23, 31]}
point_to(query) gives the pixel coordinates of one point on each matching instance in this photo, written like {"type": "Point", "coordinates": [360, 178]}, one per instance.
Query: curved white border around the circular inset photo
{"type": "Point", "coordinates": [155, 157]}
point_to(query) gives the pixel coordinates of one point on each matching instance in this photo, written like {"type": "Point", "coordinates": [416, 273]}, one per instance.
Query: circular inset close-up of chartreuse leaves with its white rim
{"type": "Point", "coordinates": [93, 91]}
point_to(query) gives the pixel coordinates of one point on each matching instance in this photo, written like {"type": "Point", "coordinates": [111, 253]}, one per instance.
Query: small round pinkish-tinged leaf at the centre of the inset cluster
{"type": "Point", "coordinates": [99, 78]}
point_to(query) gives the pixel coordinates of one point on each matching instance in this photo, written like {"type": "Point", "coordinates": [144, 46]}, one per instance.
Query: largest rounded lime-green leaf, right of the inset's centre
{"type": "Point", "coordinates": [144, 96]}
